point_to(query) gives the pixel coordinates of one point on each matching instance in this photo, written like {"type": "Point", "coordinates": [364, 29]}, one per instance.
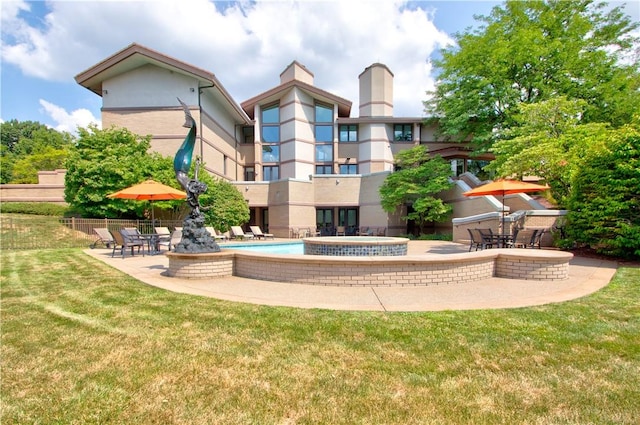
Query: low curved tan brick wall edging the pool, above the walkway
{"type": "Point", "coordinates": [527, 264]}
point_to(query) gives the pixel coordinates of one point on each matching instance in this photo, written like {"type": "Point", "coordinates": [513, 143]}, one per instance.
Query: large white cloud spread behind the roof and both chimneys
{"type": "Point", "coordinates": [247, 45]}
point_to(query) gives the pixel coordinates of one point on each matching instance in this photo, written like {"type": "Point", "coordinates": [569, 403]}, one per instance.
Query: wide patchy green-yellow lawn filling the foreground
{"type": "Point", "coordinates": [83, 343]}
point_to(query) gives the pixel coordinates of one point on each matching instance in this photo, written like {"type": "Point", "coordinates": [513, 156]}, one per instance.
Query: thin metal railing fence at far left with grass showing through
{"type": "Point", "coordinates": [38, 232]}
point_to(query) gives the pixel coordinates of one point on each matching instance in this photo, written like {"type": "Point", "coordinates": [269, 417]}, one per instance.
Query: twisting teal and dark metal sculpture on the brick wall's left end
{"type": "Point", "coordinates": [195, 238]}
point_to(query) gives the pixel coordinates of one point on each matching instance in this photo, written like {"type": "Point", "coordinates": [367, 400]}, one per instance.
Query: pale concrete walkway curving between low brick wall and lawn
{"type": "Point", "coordinates": [586, 275]}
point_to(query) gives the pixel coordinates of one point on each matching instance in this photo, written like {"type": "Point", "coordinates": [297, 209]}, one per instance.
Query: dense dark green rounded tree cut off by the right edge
{"type": "Point", "coordinates": [605, 200]}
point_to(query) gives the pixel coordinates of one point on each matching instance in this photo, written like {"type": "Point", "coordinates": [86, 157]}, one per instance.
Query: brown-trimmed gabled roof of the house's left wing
{"type": "Point", "coordinates": [136, 55]}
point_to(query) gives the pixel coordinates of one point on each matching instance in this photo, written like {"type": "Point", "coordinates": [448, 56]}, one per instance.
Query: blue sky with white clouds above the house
{"type": "Point", "coordinates": [246, 44]}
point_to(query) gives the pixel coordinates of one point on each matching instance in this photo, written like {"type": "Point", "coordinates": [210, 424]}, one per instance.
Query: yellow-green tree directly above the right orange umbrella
{"type": "Point", "coordinates": [547, 141]}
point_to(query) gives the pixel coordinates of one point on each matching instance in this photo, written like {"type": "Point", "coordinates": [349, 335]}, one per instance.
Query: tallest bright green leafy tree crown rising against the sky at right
{"type": "Point", "coordinates": [531, 51]}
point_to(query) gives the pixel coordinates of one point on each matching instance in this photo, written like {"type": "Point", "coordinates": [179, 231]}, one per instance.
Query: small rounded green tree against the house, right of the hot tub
{"type": "Point", "coordinates": [418, 177]}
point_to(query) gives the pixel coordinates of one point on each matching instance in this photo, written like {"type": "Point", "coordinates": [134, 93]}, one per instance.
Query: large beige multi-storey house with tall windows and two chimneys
{"type": "Point", "coordinates": [295, 152]}
